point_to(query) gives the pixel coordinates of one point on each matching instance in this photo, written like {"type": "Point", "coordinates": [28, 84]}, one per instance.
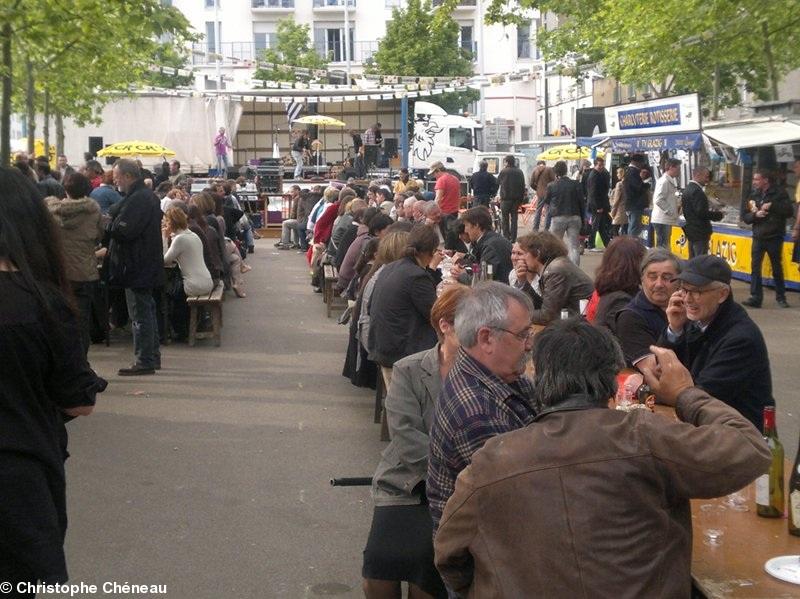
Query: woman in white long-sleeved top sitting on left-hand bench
{"type": "Point", "coordinates": [185, 250]}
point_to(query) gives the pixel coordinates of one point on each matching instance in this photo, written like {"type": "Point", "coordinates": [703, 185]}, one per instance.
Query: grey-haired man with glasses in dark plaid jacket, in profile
{"type": "Point", "coordinates": [486, 392]}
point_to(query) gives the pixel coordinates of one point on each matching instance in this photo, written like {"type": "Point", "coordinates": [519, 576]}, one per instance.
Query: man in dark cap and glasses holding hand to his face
{"type": "Point", "coordinates": [716, 339]}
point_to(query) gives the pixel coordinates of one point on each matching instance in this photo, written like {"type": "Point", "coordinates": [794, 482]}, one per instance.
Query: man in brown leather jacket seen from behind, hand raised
{"type": "Point", "coordinates": [590, 501]}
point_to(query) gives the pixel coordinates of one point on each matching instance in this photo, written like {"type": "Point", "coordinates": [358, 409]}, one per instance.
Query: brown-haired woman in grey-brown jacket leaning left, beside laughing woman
{"type": "Point", "coordinates": [561, 282]}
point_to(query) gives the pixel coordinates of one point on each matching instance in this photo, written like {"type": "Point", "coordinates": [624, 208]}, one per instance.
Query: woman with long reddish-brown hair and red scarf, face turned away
{"type": "Point", "coordinates": [616, 281]}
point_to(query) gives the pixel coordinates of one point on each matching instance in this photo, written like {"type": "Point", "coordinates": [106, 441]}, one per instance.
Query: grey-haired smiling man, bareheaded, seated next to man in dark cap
{"type": "Point", "coordinates": [641, 322]}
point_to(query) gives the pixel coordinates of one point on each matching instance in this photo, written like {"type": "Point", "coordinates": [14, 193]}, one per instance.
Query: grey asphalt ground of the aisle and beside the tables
{"type": "Point", "coordinates": [211, 477]}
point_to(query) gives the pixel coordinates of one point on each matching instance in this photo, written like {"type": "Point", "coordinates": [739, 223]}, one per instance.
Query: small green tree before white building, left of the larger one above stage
{"type": "Point", "coordinates": [292, 49]}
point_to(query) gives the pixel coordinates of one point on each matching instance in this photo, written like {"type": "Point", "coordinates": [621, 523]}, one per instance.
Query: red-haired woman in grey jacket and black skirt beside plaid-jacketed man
{"type": "Point", "coordinates": [400, 543]}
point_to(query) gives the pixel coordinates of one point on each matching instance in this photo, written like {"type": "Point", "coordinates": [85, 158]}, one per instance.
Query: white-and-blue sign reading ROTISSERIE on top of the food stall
{"type": "Point", "coordinates": [676, 114]}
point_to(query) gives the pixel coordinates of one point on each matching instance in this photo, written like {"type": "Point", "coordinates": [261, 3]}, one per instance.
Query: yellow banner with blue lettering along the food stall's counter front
{"type": "Point", "coordinates": [734, 245]}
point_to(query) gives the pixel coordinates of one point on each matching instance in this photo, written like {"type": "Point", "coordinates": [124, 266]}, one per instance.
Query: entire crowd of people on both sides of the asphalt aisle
{"type": "Point", "coordinates": [499, 357]}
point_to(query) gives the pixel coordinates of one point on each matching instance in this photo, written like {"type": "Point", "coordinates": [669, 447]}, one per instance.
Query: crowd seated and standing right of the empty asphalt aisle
{"type": "Point", "coordinates": [475, 337]}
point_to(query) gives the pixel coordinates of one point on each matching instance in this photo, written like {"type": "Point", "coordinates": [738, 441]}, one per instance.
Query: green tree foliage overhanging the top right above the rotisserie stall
{"type": "Point", "coordinates": [673, 46]}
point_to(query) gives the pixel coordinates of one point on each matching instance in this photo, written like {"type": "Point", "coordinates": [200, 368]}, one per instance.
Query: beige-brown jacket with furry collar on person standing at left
{"type": "Point", "coordinates": [81, 227]}
